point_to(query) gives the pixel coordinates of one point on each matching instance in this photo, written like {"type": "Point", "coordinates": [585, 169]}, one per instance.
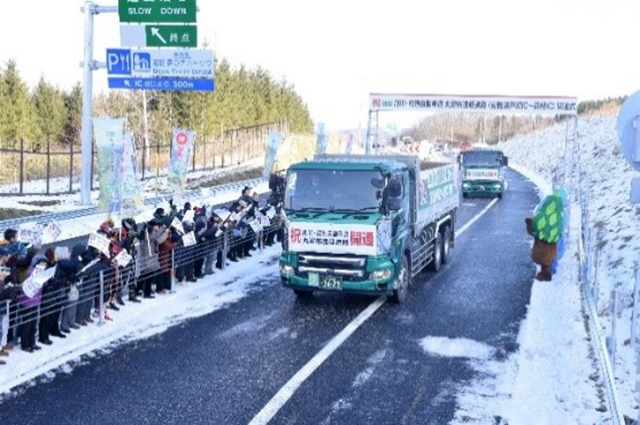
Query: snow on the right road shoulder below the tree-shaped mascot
{"type": "Point", "coordinates": [548, 380]}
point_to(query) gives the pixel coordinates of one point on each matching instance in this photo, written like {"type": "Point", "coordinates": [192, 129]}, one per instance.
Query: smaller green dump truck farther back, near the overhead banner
{"type": "Point", "coordinates": [483, 172]}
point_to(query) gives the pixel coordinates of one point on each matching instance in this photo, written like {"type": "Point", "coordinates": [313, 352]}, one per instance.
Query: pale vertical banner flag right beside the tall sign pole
{"type": "Point", "coordinates": [109, 136]}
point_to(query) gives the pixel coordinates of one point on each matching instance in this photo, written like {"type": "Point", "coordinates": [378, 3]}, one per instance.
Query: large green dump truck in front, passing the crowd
{"type": "Point", "coordinates": [366, 224]}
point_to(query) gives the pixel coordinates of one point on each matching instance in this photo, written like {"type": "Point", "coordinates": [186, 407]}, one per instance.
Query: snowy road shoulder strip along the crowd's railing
{"type": "Point", "coordinates": [138, 321]}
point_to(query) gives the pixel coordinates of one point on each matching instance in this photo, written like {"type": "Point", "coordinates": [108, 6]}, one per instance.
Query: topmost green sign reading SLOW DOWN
{"type": "Point", "coordinates": [139, 11]}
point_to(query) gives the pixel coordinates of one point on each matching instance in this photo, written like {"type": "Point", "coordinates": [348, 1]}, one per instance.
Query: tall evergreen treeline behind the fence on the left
{"type": "Point", "coordinates": [243, 98]}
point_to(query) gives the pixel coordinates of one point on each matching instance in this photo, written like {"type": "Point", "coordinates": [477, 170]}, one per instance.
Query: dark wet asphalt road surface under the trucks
{"type": "Point", "coordinates": [224, 367]}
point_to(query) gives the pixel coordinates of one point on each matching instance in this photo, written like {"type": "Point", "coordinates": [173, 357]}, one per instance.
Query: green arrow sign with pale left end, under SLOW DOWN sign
{"type": "Point", "coordinates": [159, 35]}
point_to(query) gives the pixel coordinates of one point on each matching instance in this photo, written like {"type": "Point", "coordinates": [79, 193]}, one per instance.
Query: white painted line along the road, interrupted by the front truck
{"type": "Point", "coordinates": [286, 392]}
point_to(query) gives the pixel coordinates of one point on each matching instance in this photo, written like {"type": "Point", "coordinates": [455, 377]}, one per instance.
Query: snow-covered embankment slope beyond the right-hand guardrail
{"type": "Point", "coordinates": [615, 223]}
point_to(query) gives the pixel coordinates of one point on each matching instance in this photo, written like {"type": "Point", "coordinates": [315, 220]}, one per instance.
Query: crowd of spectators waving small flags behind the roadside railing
{"type": "Point", "coordinates": [142, 261]}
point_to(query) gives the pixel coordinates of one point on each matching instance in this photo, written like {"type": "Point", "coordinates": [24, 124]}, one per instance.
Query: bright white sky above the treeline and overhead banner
{"type": "Point", "coordinates": [335, 52]}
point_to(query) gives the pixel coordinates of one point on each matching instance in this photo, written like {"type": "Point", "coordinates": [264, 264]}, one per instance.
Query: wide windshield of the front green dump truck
{"type": "Point", "coordinates": [332, 190]}
